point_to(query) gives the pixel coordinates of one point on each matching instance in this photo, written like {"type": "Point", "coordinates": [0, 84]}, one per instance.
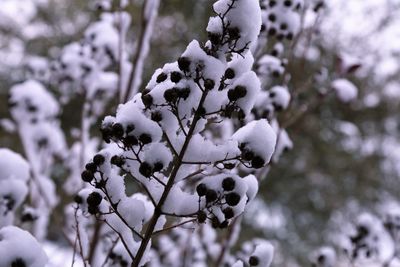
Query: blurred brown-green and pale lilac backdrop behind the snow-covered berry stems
{"type": "Point", "coordinates": [345, 157]}
